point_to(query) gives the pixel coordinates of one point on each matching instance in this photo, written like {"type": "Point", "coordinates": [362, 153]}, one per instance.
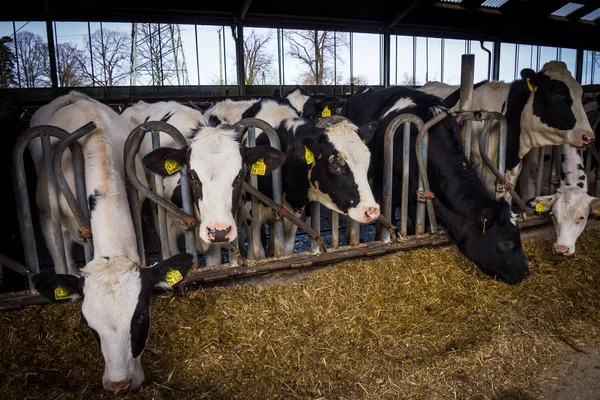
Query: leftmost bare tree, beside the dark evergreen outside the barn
{"type": "Point", "coordinates": [32, 53]}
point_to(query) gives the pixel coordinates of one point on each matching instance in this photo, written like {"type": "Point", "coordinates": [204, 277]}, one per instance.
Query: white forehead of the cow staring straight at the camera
{"type": "Point", "coordinates": [215, 154]}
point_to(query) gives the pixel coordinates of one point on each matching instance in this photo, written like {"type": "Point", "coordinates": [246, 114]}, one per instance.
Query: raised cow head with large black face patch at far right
{"type": "Point", "coordinates": [556, 106]}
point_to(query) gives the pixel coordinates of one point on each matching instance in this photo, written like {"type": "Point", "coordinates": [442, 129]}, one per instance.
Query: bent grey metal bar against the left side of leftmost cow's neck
{"type": "Point", "coordinates": [79, 209]}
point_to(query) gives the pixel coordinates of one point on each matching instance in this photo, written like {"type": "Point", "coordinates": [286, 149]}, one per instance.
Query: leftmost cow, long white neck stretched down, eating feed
{"type": "Point", "coordinates": [116, 290]}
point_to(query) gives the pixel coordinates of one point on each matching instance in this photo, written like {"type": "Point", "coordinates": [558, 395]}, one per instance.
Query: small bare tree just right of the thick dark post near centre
{"type": "Point", "coordinates": [258, 61]}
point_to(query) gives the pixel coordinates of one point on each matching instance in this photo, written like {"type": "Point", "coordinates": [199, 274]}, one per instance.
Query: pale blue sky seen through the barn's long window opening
{"type": "Point", "coordinates": [365, 62]}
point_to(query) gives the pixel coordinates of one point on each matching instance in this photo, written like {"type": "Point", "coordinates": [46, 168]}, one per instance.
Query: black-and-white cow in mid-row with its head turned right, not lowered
{"type": "Point", "coordinates": [326, 165]}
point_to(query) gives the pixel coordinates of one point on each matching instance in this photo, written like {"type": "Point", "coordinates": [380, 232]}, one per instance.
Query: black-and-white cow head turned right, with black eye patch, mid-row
{"type": "Point", "coordinates": [338, 171]}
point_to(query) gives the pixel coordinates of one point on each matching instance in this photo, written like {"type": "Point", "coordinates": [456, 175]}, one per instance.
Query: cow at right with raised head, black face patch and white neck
{"type": "Point", "coordinates": [543, 108]}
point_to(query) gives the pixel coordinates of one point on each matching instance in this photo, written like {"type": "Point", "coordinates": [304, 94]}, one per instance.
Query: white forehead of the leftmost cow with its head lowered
{"type": "Point", "coordinates": [111, 293]}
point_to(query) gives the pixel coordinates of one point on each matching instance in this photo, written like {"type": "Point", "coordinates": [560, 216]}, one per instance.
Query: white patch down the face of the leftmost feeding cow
{"type": "Point", "coordinates": [111, 291]}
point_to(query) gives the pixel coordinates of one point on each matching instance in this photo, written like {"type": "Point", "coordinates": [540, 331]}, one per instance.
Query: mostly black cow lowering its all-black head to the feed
{"type": "Point", "coordinates": [481, 226]}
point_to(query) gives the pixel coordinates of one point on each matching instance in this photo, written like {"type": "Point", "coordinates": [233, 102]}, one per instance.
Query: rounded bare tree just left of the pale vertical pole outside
{"type": "Point", "coordinates": [109, 63]}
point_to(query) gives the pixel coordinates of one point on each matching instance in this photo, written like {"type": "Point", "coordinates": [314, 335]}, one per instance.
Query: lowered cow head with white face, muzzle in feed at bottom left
{"type": "Point", "coordinates": [116, 306]}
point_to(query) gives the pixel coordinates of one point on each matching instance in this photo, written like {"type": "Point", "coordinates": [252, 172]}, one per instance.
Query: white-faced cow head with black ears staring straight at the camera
{"type": "Point", "coordinates": [217, 164]}
